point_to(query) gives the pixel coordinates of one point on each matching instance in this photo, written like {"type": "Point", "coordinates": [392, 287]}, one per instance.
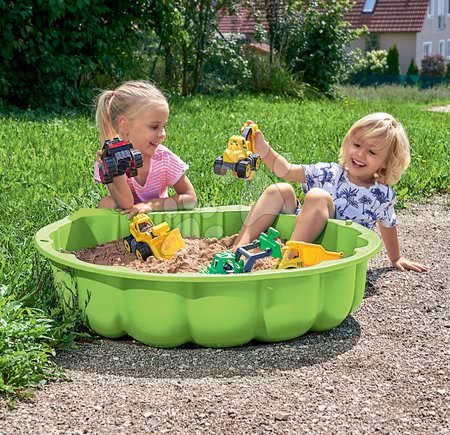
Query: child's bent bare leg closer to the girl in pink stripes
{"type": "Point", "coordinates": [276, 199]}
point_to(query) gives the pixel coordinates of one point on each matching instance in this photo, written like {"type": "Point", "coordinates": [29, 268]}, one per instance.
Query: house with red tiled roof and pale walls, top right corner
{"type": "Point", "coordinates": [419, 28]}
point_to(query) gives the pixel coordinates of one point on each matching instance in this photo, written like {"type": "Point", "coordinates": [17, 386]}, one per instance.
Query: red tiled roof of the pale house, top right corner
{"type": "Point", "coordinates": [390, 15]}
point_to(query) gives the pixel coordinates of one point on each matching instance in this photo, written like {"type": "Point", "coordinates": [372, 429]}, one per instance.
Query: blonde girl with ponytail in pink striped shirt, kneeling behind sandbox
{"type": "Point", "coordinates": [137, 111]}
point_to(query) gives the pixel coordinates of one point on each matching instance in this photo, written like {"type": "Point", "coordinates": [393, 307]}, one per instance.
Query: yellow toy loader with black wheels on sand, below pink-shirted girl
{"type": "Point", "coordinates": [147, 239]}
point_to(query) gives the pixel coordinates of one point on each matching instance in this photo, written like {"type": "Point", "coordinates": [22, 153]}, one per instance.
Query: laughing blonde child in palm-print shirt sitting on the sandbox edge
{"type": "Point", "coordinates": [373, 155]}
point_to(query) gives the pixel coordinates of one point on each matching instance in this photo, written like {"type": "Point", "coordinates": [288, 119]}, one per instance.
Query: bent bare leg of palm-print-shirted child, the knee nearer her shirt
{"type": "Point", "coordinates": [317, 208]}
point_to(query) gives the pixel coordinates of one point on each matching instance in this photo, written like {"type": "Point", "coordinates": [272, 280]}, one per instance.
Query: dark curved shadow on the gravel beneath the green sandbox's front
{"type": "Point", "coordinates": [125, 357]}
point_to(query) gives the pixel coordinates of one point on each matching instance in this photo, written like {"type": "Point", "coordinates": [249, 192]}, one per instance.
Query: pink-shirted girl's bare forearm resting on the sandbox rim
{"type": "Point", "coordinates": [185, 199]}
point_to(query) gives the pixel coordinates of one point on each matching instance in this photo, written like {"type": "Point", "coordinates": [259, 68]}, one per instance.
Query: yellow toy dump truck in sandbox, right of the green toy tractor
{"type": "Point", "coordinates": [301, 254]}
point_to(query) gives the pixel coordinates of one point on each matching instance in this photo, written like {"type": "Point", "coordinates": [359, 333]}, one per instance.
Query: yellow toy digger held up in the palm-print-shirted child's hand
{"type": "Point", "coordinates": [240, 156]}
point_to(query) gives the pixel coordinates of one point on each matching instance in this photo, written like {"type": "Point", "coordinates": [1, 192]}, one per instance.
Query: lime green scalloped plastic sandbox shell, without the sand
{"type": "Point", "coordinates": [167, 310]}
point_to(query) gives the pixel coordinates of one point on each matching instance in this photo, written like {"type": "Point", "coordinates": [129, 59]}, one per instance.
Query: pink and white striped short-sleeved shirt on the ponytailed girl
{"type": "Point", "coordinates": [166, 168]}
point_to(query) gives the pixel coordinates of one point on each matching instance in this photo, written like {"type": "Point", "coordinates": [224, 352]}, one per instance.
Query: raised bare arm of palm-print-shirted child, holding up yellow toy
{"type": "Point", "coordinates": [276, 162]}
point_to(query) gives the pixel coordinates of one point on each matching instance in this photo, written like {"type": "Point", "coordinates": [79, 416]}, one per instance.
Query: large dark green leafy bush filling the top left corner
{"type": "Point", "coordinates": [54, 53]}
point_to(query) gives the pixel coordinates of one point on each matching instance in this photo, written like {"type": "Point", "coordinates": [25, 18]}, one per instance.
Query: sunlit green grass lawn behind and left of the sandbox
{"type": "Point", "coordinates": [46, 173]}
